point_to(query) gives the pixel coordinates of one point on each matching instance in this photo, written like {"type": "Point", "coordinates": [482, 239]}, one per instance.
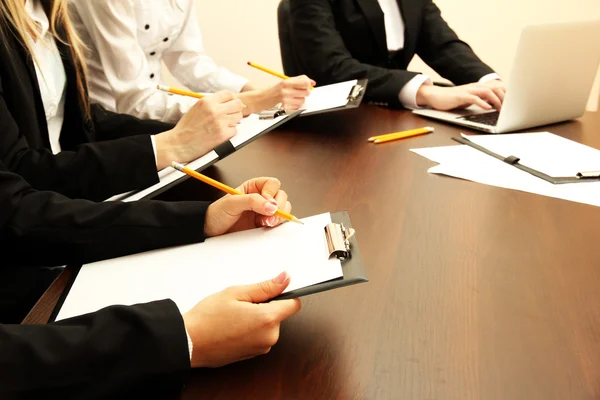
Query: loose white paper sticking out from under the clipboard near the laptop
{"type": "Point", "coordinates": [464, 162]}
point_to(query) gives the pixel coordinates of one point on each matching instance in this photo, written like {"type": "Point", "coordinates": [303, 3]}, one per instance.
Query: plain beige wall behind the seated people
{"type": "Point", "coordinates": [236, 31]}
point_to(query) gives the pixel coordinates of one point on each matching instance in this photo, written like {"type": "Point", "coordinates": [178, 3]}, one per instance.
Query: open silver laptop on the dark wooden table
{"type": "Point", "coordinates": [551, 80]}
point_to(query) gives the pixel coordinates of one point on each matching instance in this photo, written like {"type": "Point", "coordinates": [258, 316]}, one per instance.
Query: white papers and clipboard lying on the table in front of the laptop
{"type": "Point", "coordinates": [543, 151]}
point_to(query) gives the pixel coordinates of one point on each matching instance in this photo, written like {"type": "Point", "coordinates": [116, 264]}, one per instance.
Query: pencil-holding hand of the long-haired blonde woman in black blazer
{"type": "Point", "coordinates": [210, 122]}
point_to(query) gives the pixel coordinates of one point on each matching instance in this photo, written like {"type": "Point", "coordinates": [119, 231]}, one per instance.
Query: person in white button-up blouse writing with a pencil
{"type": "Point", "coordinates": [128, 39]}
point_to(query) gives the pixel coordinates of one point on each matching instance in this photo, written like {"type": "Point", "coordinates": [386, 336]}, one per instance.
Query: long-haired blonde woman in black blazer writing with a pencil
{"type": "Point", "coordinates": [57, 141]}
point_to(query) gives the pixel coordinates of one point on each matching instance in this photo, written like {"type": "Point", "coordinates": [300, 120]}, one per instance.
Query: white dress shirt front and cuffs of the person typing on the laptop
{"type": "Point", "coordinates": [394, 33]}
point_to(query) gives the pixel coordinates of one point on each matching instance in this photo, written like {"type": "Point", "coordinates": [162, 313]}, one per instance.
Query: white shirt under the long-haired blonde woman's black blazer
{"type": "Point", "coordinates": [50, 73]}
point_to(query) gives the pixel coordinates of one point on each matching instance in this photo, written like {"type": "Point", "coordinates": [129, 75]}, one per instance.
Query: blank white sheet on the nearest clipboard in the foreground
{"type": "Point", "coordinates": [187, 274]}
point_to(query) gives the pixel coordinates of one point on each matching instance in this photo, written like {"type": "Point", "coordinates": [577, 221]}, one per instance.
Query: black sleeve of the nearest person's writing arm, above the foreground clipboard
{"type": "Point", "coordinates": [45, 228]}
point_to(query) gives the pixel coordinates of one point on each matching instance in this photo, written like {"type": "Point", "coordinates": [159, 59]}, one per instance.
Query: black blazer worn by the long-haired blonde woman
{"type": "Point", "coordinates": [107, 155]}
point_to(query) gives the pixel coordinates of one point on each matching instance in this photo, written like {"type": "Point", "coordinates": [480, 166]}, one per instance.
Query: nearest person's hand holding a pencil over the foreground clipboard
{"type": "Point", "coordinates": [254, 209]}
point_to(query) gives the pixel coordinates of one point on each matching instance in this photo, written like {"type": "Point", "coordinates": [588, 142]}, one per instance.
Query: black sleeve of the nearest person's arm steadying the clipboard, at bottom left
{"type": "Point", "coordinates": [96, 356]}
